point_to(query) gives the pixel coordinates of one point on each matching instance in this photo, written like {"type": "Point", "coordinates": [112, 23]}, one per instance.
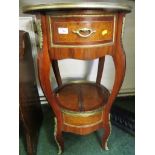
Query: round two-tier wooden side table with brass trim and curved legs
{"type": "Point", "coordinates": [84, 31]}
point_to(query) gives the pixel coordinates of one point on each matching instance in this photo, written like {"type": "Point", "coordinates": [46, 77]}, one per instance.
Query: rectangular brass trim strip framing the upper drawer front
{"type": "Point", "coordinates": [81, 46]}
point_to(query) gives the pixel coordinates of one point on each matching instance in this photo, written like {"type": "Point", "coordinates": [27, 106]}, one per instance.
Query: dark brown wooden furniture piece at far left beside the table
{"type": "Point", "coordinates": [29, 102]}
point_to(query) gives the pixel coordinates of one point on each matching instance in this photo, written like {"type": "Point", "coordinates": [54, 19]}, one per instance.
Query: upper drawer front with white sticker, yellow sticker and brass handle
{"type": "Point", "coordinates": [81, 30]}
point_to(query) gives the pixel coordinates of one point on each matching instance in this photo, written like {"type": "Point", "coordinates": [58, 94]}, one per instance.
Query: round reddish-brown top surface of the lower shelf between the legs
{"type": "Point", "coordinates": [82, 97]}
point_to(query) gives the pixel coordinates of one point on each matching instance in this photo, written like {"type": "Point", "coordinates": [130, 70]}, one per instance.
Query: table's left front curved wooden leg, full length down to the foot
{"type": "Point", "coordinates": [44, 65]}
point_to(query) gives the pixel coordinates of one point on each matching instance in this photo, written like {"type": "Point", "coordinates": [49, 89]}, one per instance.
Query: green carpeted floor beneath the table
{"type": "Point", "coordinates": [120, 142]}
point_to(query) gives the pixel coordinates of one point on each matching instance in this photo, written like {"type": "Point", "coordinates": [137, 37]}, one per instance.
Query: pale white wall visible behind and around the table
{"type": "Point", "coordinates": [80, 69]}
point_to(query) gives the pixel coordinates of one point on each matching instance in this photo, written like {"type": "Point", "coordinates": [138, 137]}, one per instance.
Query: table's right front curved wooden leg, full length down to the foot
{"type": "Point", "coordinates": [119, 60]}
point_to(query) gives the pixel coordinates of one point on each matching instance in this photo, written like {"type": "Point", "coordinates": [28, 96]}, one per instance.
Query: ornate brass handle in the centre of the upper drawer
{"type": "Point", "coordinates": [84, 30]}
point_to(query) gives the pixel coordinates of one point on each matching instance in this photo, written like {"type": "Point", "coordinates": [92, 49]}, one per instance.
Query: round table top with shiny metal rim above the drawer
{"type": "Point", "coordinates": [113, 6]}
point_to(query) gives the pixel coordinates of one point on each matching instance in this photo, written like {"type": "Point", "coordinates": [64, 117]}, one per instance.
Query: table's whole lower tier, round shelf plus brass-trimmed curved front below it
{"type": "Point", "coordinates": [82, 106]}
